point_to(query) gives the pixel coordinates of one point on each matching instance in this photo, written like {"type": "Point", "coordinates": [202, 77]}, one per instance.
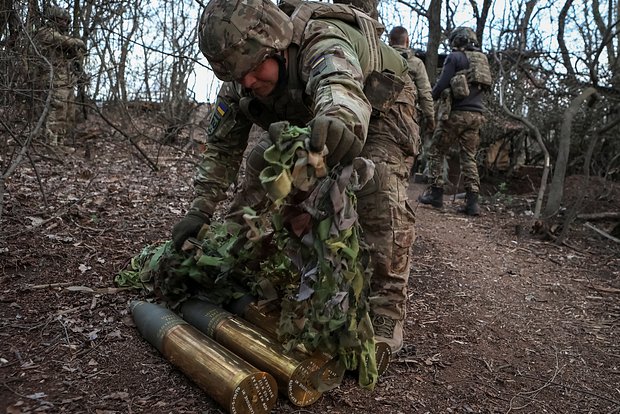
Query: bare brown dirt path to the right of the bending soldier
{"type": "Point", "coordinates": [499, 323]}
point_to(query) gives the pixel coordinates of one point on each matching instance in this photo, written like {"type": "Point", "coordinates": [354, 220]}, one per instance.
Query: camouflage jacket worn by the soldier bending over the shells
{"type": "Point", "coordinates": [330, 63]}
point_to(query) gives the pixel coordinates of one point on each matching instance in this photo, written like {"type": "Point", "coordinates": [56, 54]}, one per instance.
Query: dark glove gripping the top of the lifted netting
{"type": "Point", "coordinates": [343, 145]}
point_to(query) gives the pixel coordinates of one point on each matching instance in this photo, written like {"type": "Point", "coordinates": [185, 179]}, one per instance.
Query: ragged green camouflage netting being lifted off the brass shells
{"type": "Point", "coordinates": [303, 250]}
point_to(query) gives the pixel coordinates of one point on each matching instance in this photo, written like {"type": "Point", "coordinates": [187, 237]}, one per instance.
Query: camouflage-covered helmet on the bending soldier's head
{"type": "Point", "coordinates": [237, 35]}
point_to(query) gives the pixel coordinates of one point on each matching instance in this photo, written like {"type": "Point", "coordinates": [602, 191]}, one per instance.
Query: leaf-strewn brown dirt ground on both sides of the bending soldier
{"type": "Point", "coordinates": [499, 320]}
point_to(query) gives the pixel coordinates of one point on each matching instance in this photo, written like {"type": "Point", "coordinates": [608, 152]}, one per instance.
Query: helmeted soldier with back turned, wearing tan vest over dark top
{"type": "Point", "coordinates": [464, 77]}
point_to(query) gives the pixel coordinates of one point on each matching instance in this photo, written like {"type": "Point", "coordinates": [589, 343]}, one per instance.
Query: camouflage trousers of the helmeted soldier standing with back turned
{"type": "Point", "coordinates": [462, 127]}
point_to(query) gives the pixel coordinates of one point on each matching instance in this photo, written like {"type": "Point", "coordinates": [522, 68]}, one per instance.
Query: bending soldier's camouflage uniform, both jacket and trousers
{"type": "Point", "coordinates": [332, 66]}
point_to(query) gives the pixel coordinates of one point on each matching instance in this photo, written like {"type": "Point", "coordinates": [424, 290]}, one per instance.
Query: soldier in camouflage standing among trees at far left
{"type": "Point", "coordinates": [65, 54]}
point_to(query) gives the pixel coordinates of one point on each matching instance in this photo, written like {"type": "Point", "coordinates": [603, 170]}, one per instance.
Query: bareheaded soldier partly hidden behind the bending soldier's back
{"type": "Point", "coordinates": [399, 40]}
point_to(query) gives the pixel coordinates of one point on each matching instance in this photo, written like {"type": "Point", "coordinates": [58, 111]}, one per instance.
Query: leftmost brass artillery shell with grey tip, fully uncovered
{"type": "Point", "coordinates": [235, 384]}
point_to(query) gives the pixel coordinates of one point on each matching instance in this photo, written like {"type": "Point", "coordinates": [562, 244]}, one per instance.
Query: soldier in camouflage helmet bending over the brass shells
{"type": "Point", "coordinates": [313, 69]}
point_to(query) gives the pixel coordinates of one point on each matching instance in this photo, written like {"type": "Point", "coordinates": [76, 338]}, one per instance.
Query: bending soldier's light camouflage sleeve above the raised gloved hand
{"type": "Point", "coordinates": [334, 77]}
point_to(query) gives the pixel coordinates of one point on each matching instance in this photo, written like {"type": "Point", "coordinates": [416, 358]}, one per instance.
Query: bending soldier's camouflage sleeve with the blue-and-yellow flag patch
{"type": "Point", "coordinates": [227, 137]}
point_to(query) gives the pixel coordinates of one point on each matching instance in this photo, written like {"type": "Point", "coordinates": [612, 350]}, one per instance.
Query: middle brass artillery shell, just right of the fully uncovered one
{"type": "Point", "coordinates": [293, 371]}
